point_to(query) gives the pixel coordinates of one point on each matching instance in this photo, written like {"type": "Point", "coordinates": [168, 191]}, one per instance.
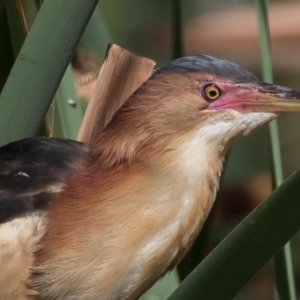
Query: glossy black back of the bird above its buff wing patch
{"type": "Point", "coordinates": [32, 172]}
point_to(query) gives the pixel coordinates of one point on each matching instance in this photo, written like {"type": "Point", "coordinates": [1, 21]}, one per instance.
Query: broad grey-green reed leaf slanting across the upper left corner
{"type": "Point", "coordinates": [40, 66]}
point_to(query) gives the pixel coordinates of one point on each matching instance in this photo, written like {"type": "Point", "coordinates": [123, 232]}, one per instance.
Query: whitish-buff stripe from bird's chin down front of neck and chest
{"type": "Point", "coordinates": [188, 184]}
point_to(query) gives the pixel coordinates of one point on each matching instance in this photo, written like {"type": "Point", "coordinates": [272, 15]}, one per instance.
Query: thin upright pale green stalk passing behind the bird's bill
{"type": "Point", "coordinates": [283, 260]}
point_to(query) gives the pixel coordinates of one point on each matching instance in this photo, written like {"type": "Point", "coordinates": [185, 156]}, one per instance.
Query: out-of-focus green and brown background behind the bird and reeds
{"type": "Point", "coordinates": [227, 29]}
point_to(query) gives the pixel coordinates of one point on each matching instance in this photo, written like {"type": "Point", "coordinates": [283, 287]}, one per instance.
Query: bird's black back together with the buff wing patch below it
{"type": "Point", "coordinates": [32, 173]}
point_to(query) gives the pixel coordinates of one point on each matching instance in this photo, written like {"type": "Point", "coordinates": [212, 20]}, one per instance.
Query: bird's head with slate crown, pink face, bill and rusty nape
{"type": "Point", "coordinates": [212, 96]}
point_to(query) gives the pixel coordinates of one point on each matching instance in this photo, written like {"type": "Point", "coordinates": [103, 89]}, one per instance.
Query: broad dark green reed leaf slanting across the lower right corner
{"type": "Point", "coordinates": [251, 245]}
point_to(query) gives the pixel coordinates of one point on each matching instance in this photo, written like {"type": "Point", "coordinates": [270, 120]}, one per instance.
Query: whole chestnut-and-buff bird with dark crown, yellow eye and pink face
{"type": "Point", "coordinates": [108, 219]}
